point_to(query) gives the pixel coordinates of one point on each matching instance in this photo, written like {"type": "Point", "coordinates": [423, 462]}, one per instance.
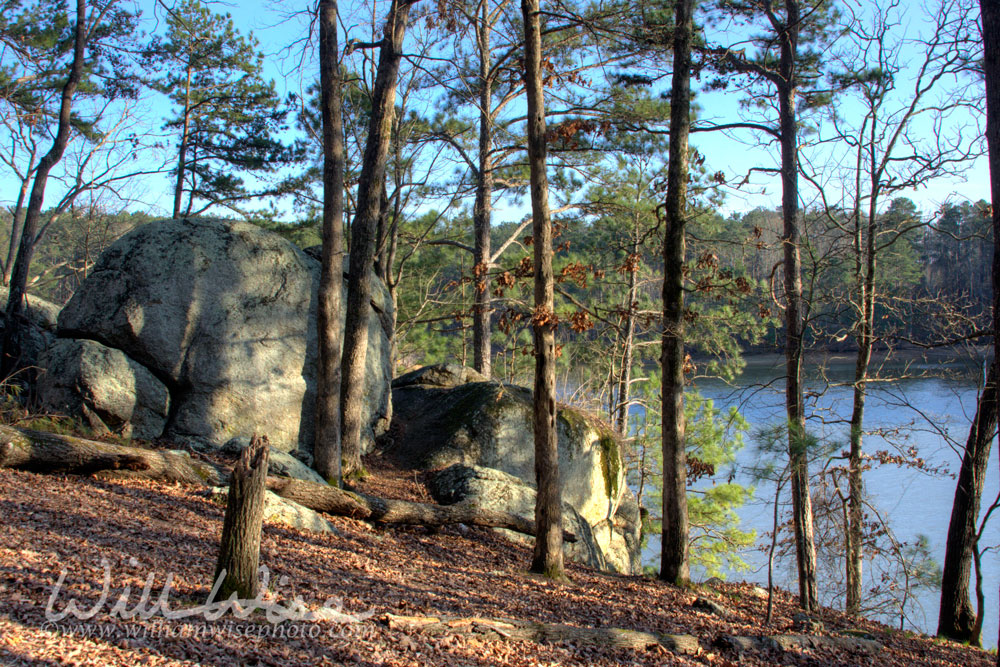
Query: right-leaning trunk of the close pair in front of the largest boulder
{"type": "Point", "coordinates": [363, 237]}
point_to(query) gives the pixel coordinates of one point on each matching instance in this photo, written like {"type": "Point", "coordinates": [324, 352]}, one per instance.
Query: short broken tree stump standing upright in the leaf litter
{"type": "Point", "coordinates": [239, 549]}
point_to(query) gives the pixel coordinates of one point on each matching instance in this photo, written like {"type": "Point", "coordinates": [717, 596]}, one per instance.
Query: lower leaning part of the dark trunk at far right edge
{"type": "Point", "coordinates": [956, 617]}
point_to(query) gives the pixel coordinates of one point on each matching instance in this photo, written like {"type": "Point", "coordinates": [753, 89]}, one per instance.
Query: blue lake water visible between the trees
{"type": "Point", "coordinates": [938, 399]}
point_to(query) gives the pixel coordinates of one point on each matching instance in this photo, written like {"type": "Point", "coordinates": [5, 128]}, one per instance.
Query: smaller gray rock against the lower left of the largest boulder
{"type": "Point", "coordinates": [109, 390]}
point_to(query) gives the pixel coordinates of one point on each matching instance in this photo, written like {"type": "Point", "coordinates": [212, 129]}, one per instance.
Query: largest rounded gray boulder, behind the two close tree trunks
{"type": "Point", "coordinates": [223, 314]}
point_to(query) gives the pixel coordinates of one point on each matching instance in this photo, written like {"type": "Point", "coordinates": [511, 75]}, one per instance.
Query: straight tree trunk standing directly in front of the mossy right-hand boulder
{"type": "Point", "coordinates": [548, 556]}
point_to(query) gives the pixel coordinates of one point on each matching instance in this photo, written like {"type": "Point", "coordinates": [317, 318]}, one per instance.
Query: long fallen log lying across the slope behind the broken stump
{"type": "Point", "coordinates": [36, 451]}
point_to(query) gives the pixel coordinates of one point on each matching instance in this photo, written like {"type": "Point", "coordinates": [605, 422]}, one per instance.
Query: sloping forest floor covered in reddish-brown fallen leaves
{"type": "Point", "coordinates": [106, 535]}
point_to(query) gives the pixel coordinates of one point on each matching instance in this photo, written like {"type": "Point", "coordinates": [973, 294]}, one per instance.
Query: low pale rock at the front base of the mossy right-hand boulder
{"type": "Point", "coordinates": [497, 491]}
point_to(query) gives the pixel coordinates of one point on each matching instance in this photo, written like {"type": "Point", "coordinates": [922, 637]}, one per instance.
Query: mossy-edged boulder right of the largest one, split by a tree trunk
{"type": "Point", "coordinates": [441, 419]}
